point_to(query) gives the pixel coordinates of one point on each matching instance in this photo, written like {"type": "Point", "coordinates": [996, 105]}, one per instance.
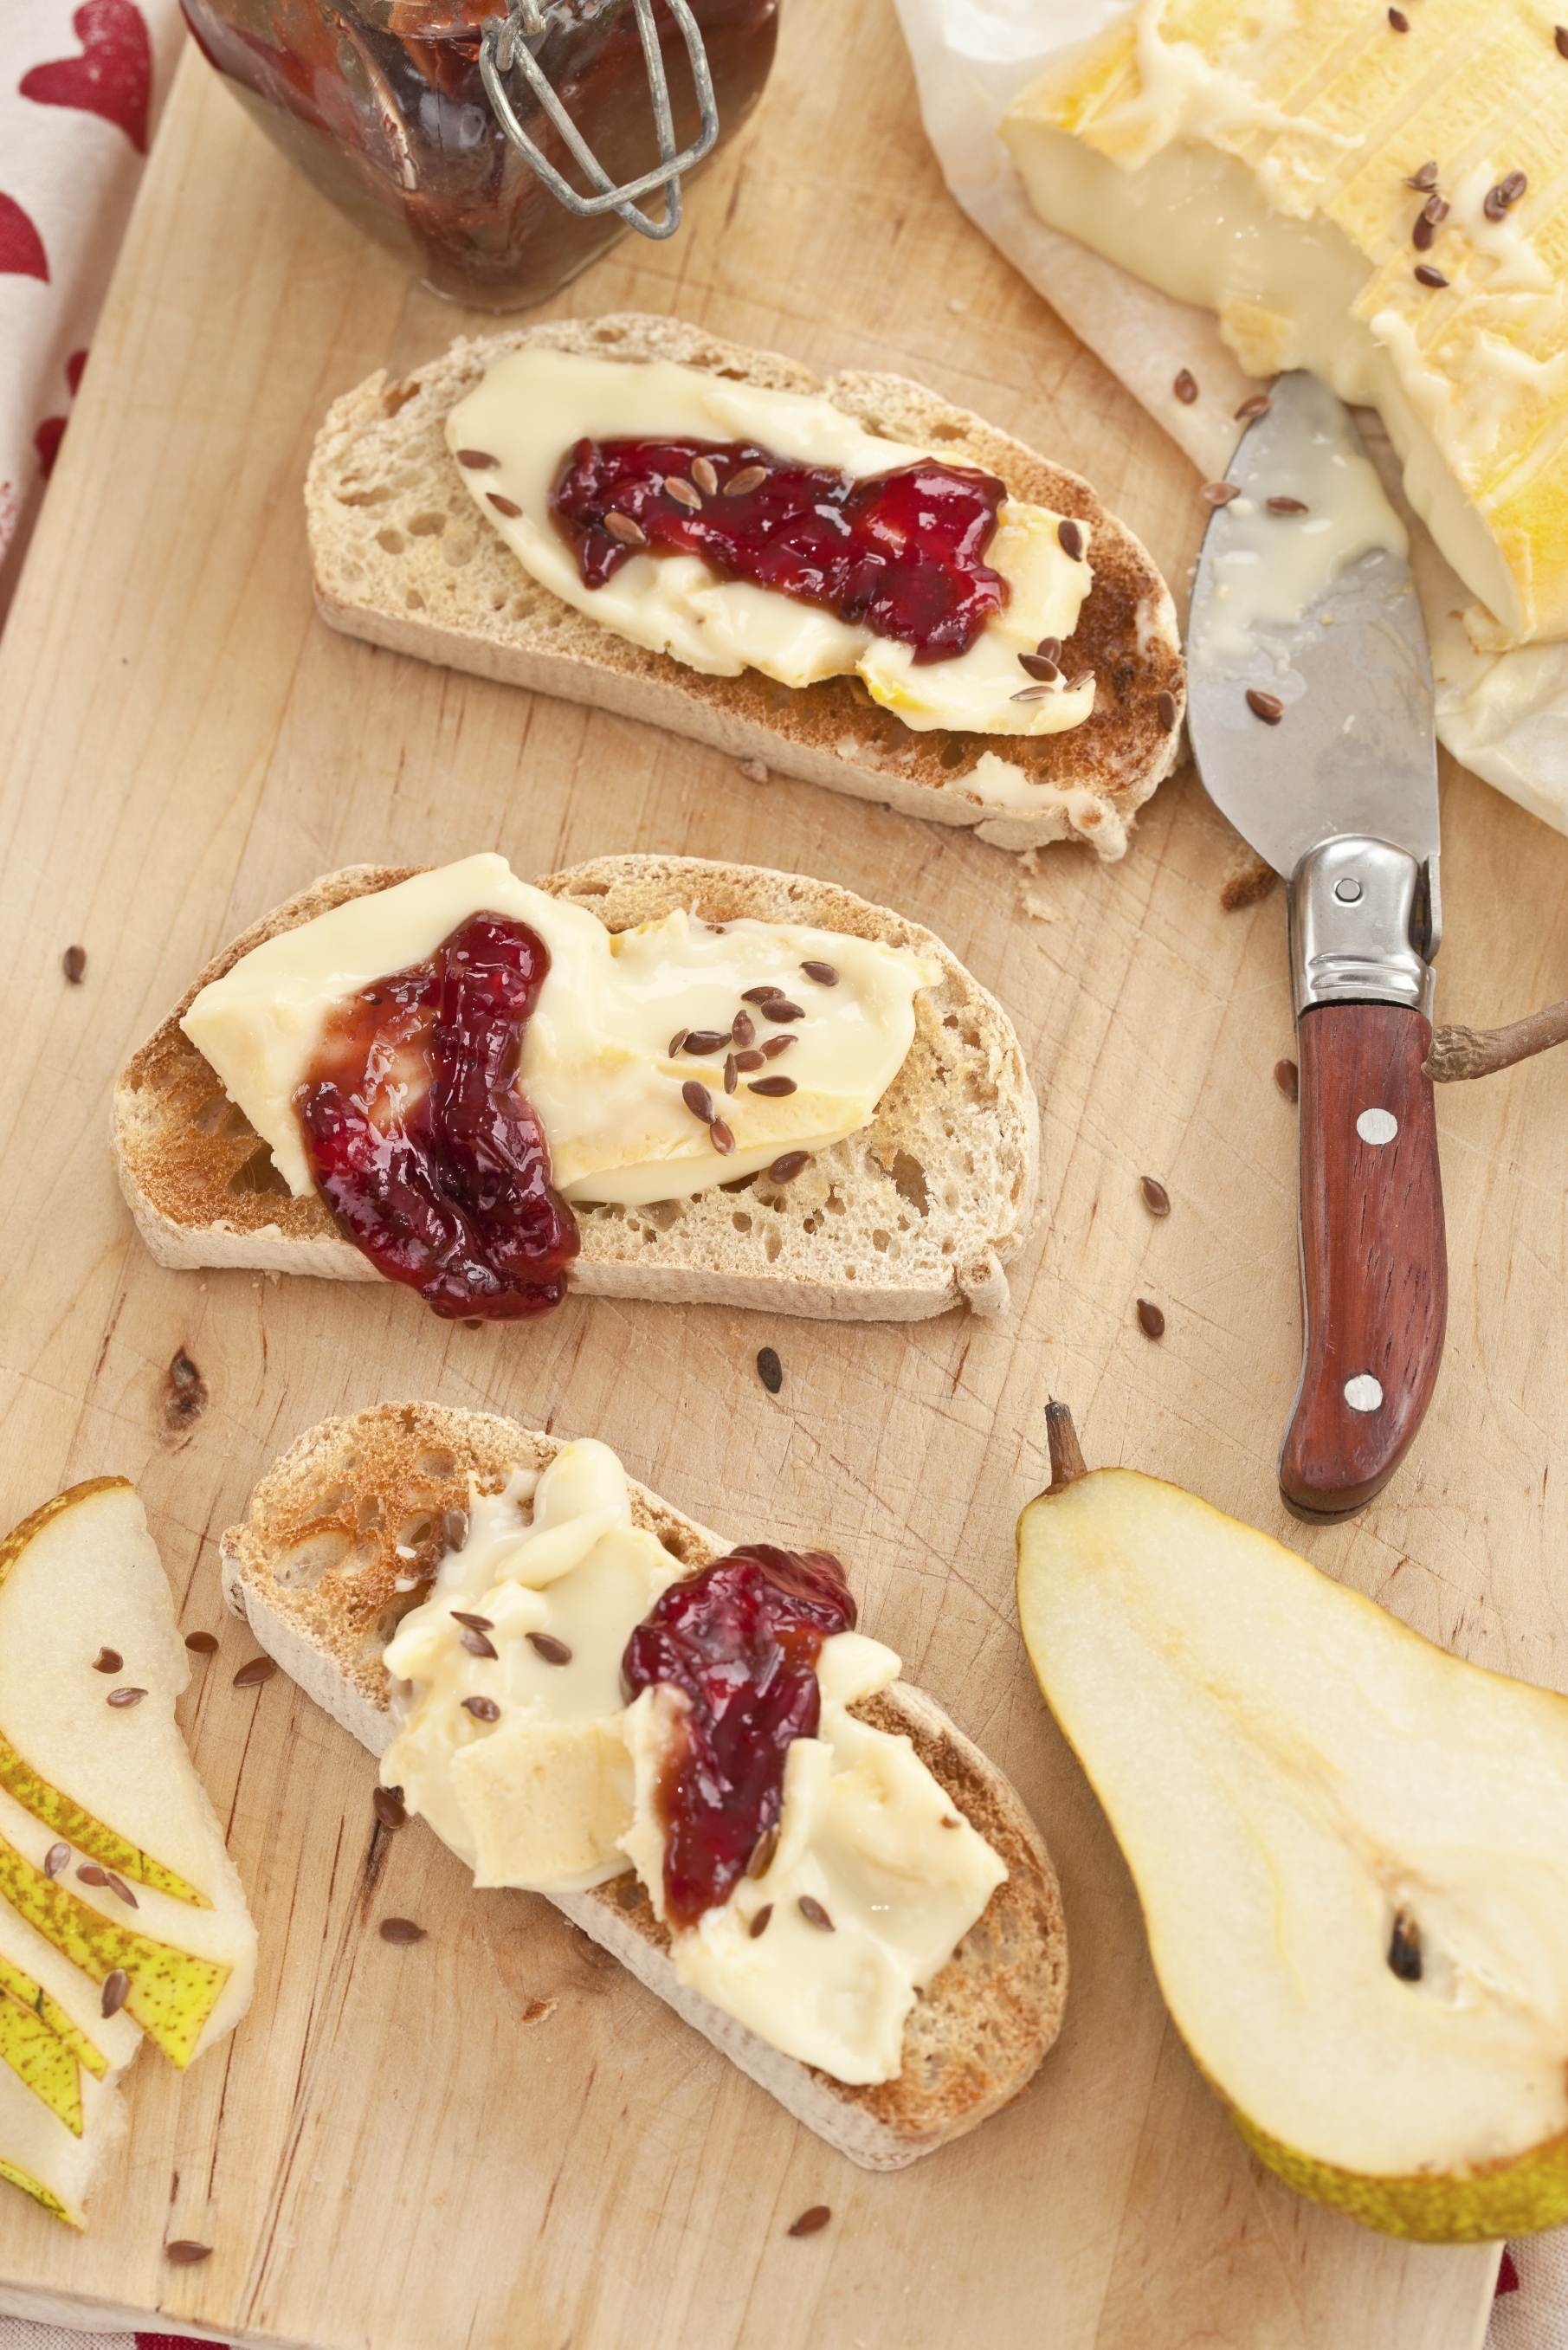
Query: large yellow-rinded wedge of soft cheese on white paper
{"type": "Point", "coordinates": [1271, 163]}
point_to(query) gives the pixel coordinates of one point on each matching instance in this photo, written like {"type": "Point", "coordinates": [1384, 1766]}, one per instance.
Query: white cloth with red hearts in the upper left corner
{"type": "Point", "coordinates": [79, 98]}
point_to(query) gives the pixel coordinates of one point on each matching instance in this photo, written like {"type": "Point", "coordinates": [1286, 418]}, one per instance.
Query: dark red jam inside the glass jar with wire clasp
{"type": "Point", "coordinates": [382, 105]}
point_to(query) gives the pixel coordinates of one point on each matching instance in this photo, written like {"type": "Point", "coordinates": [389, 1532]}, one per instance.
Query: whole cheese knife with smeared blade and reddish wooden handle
{"type": "Point", "coordinates": [1311, 718]}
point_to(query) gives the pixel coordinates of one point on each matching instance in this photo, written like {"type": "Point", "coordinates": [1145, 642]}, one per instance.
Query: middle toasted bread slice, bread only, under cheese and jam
{"type": "Point", "coordinates": [897, 1223]}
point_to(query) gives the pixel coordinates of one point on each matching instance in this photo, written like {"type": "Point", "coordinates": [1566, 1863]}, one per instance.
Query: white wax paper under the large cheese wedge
{"type": "Point", "coordinates": [1506, 716]}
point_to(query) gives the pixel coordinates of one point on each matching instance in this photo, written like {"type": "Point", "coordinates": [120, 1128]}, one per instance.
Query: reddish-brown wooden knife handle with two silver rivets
{"type": "Point", "coordinates": [1374, 1256]}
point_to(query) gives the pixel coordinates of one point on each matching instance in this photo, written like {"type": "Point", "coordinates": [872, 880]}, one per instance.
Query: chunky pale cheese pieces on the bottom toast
{"type": "Point", "coordinates": [558, 1790]}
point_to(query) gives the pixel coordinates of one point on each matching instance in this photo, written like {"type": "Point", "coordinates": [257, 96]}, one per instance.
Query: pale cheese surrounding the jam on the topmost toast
{"type": "Point", "coordinates": [535, 405]}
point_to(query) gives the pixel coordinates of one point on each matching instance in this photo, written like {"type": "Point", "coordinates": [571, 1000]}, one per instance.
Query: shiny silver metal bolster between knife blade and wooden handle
{"type": "Point", "coordinates": [1365, 925]}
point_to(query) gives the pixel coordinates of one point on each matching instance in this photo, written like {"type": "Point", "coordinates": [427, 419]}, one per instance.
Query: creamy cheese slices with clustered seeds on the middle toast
{"type": "Point", "coordinates": [596, 1061]}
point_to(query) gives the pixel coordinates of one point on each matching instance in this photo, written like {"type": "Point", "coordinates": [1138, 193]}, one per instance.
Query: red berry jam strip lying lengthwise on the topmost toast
{"type": "Point", "coordinates": [899, 553]}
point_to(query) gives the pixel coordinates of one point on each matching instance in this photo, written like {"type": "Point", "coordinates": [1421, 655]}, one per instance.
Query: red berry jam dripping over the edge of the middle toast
{"type": "Point", "coordinates": [420, 1139]}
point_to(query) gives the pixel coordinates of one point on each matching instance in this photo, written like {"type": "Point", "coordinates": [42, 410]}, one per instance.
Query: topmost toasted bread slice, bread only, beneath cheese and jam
{"type": "Point", "coordinates": [406, 560]}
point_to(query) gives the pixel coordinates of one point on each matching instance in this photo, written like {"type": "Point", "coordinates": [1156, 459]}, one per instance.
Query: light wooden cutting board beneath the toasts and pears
{"type": "Point", "coordinates": [497, 2137]}
